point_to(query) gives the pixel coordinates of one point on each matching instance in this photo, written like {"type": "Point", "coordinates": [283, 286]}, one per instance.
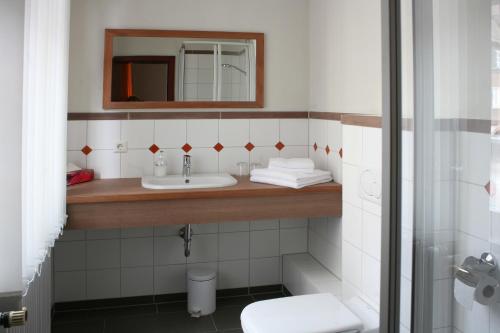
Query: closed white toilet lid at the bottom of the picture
{"type": "Point", "coordinates": [317, 313]}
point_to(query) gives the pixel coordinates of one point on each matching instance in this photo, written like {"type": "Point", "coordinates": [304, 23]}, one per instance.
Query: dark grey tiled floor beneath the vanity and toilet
{"type": "Point", "coordinates": [169, 317]}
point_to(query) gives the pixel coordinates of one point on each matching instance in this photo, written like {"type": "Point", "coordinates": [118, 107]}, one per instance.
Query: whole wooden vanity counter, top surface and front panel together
{"type": "Point", "coordinates": [120, 203]}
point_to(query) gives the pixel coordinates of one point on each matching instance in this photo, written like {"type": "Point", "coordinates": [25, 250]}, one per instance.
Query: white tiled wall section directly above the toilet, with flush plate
{"type": "Point", "coordinates": [361, 219]}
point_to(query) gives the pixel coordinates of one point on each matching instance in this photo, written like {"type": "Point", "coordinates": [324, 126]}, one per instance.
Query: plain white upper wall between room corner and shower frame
{"type": "Point", "coordinates": [345, 59]}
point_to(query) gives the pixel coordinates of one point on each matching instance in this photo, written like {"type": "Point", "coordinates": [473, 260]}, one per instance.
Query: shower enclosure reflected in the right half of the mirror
{"type": "Point", "coordinates": [217, 71]}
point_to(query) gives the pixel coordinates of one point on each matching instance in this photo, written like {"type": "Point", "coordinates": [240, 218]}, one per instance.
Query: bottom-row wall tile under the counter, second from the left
{"type": "Point", "coordinates": [103, 284]}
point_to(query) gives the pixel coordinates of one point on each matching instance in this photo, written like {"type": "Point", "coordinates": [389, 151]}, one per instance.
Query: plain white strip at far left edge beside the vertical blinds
{"type": "Point", "coordinates": [11, 88]}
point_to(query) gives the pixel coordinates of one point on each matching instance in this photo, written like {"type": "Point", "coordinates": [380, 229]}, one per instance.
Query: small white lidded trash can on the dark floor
{"type": "Point", "coordinates": [201, 284]}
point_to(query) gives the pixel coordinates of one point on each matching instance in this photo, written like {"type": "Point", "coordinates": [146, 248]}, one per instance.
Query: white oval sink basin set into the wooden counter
{"type": "Point", "coordinates": [177, 182]}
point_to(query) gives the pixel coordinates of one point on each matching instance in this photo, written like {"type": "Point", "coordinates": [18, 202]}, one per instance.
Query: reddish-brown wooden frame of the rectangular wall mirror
{"type": "Point", "coordinates": [108, 69]}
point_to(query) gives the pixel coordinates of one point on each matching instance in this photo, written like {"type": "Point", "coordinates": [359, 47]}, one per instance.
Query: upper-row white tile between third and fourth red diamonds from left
{"type": "Point", "coordinates": [203, 132]}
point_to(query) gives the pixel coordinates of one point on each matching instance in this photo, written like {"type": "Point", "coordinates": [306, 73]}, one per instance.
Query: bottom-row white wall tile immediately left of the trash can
{"type": "Point", "coordinates": [170, 279]}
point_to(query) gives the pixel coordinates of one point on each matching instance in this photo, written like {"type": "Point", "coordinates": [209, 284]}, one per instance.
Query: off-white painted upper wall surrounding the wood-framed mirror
{"type": "Point", "coordinates": [284, 22]}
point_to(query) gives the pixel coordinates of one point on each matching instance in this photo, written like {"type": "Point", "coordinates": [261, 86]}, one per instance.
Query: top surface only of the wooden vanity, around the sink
{"type": "Point", "coordinates": [131, 190]}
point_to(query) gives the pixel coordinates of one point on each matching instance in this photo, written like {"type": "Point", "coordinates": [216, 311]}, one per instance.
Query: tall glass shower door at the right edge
{"type": "Point", "coordinates": [450, 88]}
